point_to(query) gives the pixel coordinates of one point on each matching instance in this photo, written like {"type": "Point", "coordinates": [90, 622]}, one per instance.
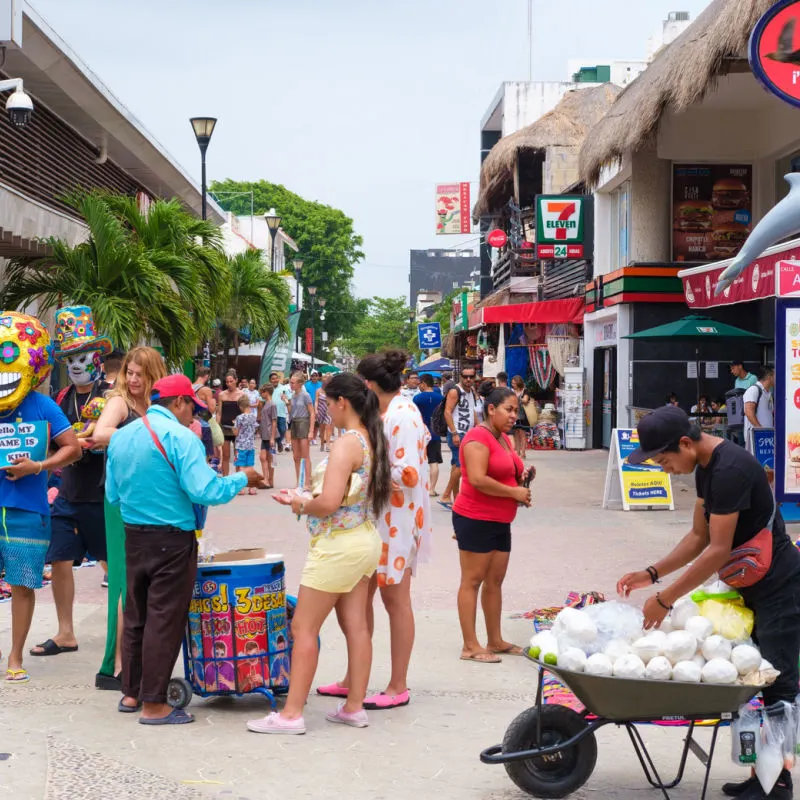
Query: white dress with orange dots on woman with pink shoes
{"type": "Point", "coordinates": [405, 527]}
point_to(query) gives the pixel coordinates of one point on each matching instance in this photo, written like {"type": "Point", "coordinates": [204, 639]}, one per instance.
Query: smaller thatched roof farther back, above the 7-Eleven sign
{"type": "Point", "coordinates": [566, 125]}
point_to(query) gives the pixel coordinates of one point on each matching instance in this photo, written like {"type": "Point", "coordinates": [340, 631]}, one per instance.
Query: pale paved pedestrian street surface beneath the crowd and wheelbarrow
{"type": "Point", "coordinates": [61, 738]}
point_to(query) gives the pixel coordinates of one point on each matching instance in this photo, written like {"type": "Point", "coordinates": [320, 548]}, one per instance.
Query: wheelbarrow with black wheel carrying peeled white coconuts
{"type": "Point", "coordinates": [550, 751]}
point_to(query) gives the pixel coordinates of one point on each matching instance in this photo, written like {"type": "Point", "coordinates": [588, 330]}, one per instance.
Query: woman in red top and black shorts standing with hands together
{"type": "Point", "coordinates": [494, 481]}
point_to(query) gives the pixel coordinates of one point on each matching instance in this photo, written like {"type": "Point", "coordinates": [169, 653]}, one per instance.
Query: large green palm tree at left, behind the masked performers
{"type": "Point", "coordinates": [158, 277]}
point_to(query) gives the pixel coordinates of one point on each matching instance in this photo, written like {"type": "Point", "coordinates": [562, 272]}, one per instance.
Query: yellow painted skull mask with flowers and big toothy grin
{"type": "Point", "coordinates": [26, 357]}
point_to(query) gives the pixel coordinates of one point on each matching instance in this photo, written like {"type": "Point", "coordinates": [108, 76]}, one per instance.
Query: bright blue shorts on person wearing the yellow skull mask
{"type": "Point", "coordinates": [24, 537]}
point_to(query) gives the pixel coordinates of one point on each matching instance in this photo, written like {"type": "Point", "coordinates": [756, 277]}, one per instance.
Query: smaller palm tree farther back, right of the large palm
{"type": "Point", "coordinates": [258, 301]}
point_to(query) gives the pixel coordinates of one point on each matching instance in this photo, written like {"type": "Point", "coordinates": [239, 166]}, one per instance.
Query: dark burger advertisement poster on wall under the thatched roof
{"type": "Point", "coordinates": [711, 210]}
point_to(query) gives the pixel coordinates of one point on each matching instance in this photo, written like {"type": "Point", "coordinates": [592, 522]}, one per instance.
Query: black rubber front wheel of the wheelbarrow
{"type": "Point", "coordinates": [558, 774]}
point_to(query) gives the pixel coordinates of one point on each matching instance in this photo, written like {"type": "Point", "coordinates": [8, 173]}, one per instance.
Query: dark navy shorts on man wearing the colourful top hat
{"type": "Point", "coordinates": [77, 529]}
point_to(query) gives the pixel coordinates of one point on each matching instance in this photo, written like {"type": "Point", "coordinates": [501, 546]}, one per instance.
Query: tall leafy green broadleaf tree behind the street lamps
{"type": "Point", "coordinates": [328, 246]}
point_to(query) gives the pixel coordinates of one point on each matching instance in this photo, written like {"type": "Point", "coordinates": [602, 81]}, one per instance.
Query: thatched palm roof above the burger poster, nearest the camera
{"type": "Point", "coordinates": [679, 77]}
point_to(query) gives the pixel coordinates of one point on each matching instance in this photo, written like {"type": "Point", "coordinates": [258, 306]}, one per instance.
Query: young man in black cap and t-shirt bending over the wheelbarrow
{"type": "Point", "coordinates": [735, 502]}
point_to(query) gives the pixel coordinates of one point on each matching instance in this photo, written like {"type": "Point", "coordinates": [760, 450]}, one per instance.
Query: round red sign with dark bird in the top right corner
{"type": "Point", "coordinates": [774, 51]}
